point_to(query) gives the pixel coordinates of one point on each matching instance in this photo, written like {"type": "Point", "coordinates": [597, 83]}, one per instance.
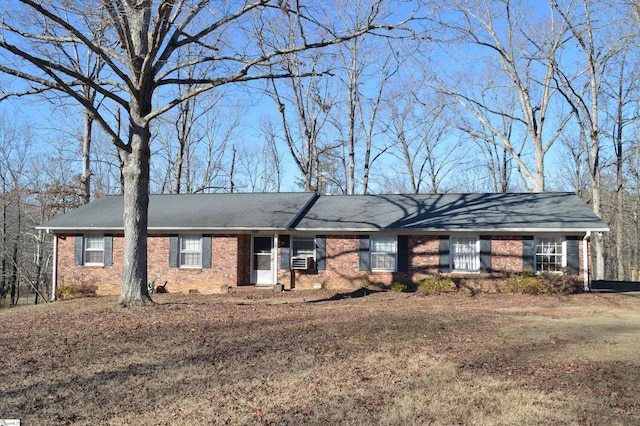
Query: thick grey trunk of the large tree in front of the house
{"type": "Point", "coordinates": [136, 201]}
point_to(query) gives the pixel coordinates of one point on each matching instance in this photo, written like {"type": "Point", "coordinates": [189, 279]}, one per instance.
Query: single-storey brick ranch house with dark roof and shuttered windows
{"type": "Point", "coordinates": [302, 240]}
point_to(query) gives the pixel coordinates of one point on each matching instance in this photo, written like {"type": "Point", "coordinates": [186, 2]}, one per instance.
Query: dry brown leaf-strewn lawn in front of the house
{"type": "Point", "coordinates": [262, 358]}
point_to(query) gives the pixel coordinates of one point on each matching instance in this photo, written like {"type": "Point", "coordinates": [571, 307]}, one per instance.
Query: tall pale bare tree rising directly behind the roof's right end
{"type": "Point", "coordinates": [516, 60]}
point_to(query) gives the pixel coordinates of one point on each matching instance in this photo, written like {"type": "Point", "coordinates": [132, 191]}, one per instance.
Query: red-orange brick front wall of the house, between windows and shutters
{"type": "Point", "coordinates": [231, 265]}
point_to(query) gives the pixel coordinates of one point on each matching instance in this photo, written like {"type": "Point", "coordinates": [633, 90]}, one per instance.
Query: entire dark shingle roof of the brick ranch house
{"type": "Point", "coordinates": [552, 212]}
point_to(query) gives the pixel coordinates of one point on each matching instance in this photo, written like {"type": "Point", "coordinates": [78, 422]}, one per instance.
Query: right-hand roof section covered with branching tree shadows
{"type": "Point", "coordinates": [537, 212]}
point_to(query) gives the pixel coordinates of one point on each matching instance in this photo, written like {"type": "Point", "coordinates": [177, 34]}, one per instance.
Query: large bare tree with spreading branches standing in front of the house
{"type": "Point", "coordinates": [140, 50]}
